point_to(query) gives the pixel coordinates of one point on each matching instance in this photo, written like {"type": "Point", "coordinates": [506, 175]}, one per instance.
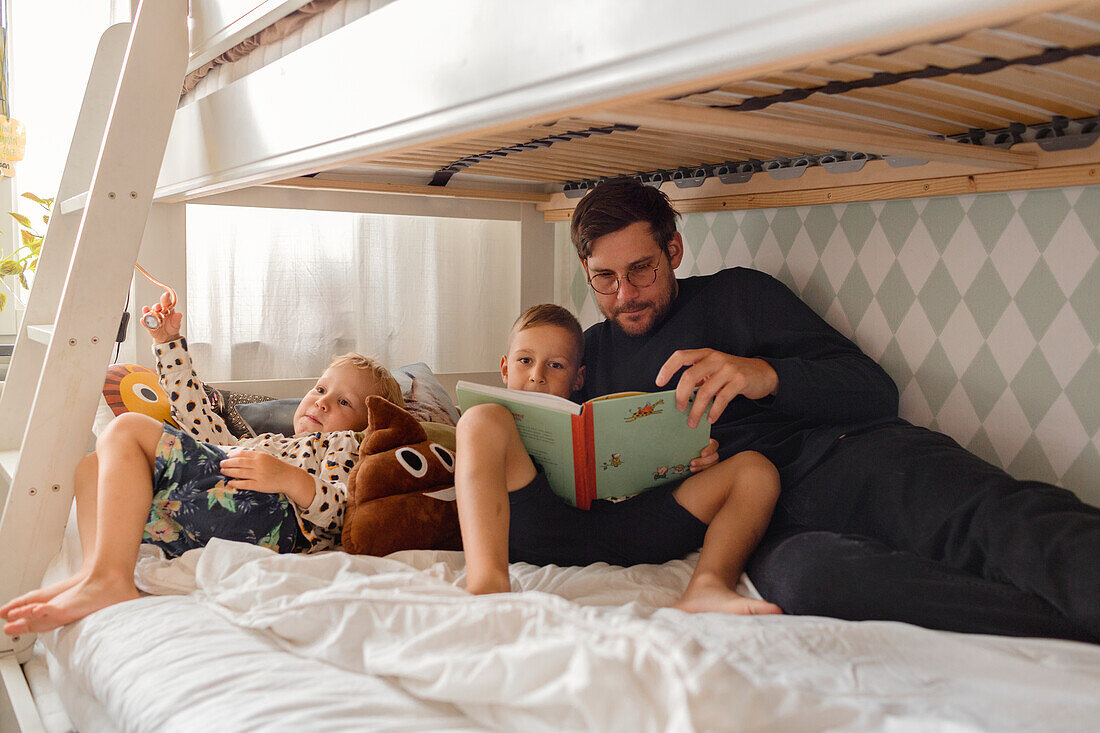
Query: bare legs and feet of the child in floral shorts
{"type": "Point", "coordinates": [123, 499]}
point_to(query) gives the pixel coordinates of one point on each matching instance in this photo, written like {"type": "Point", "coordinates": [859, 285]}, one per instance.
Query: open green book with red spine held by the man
{"type": "Point", "coordinates": [609, 447]}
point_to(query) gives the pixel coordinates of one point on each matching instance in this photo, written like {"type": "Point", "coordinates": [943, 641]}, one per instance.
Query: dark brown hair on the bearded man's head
{"type": "Point", "coordinates": [615, 205]}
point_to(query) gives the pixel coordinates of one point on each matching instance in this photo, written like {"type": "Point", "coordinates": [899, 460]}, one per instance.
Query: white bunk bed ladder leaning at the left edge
{"type": "Point", "coordinates": [65, 340]}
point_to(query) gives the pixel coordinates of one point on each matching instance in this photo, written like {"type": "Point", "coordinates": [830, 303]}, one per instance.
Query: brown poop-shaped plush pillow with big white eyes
{"type": "Point", "coordinates": [399, 465]}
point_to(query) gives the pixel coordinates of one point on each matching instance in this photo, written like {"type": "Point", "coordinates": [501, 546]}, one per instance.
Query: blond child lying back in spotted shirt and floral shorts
{"type": "Point", "coordinates": [178, 489]}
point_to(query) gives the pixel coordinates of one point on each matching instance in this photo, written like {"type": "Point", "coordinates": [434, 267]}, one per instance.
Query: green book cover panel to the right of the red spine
{"type": "Point", "coordinates": [642, 442]}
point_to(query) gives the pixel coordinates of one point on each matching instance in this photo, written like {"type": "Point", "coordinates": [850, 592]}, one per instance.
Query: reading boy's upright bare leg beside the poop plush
{"type": "Point", "coordinates": [490, 463]}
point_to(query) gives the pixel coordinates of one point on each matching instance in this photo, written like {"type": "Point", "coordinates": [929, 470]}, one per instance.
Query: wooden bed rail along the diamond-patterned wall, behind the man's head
{"type": "Point", "coordinates": [986, 183]}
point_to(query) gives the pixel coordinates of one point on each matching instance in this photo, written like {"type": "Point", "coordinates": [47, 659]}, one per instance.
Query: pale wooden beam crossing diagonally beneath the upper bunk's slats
{"type": "Point", "coordinates": [741, 126]}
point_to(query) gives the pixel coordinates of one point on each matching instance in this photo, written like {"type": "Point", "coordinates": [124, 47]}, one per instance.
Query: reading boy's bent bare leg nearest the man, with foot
{"type": "Point", "coordinates": [736, 499]}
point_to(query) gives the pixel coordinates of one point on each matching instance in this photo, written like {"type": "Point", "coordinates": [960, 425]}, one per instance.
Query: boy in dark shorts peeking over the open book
{"type": "Point", "coordinates": [508, 511]}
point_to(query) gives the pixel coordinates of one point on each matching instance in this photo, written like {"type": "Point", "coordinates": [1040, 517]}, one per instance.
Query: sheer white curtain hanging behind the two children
{"type": "Point", "coordinates": [276, 293]}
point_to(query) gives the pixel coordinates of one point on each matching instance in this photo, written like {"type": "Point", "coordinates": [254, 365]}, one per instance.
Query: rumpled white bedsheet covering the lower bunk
{"type": "Point", "coordinates": [248, 640]}
